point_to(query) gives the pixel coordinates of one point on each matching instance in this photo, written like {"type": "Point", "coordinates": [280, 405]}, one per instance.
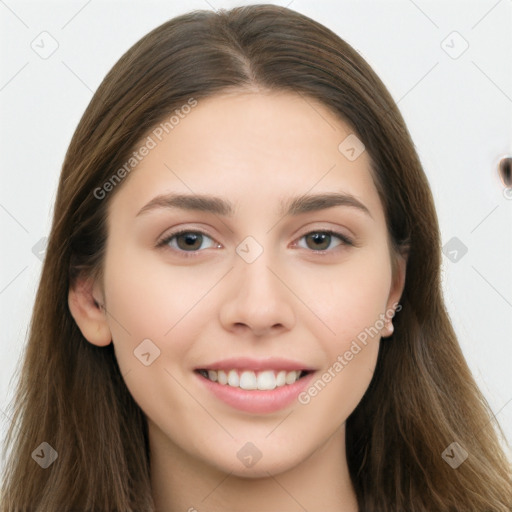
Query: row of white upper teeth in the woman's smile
{"type": "Point", "coordinates": [264, 381]}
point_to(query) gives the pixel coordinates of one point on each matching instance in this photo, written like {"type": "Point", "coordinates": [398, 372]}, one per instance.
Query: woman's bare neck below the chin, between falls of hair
{"type": "Point", "coordinates": [181, 482]}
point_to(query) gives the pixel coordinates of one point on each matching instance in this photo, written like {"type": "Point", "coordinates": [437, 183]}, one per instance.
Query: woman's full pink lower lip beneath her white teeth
{"type": "Point", "coordinates": [255, 401]}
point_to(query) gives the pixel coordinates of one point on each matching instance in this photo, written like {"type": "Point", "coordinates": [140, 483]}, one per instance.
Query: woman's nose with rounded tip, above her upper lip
{"type": "Point", "coordinates": [257, 300]}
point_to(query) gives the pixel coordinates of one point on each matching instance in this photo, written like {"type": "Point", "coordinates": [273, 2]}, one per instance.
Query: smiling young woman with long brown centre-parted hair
{"type": "Point", "coordinates": [240, 304]}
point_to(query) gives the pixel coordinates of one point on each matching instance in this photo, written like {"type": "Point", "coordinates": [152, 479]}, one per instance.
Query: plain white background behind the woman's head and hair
{"type": "Point", "coordinates": [458, 110]}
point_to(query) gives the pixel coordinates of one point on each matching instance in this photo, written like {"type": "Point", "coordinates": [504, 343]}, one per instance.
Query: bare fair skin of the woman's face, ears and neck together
{"type": "Point", "coordinates": [253, 149]}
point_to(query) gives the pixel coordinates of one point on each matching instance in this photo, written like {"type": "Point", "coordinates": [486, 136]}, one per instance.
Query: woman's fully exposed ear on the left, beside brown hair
{"type": "Point", "coordinates": [86, 303]}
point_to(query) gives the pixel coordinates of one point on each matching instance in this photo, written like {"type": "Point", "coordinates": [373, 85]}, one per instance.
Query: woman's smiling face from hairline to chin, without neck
{"type": "Point", "coordinates": [250, 283]}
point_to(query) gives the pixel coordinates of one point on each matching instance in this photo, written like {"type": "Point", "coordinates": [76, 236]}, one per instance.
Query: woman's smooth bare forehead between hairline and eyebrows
{"type": "Point", "coordinates": [254, 148]}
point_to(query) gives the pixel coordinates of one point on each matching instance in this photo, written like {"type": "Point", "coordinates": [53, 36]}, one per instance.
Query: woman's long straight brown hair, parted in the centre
{"type": "Point", "coordinates": [71, 394]}
